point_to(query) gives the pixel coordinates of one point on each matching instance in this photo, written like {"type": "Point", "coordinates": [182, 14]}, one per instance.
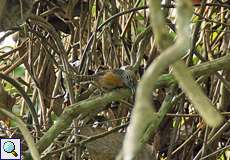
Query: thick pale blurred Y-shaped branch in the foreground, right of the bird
{"type": "Point", "coordinates": [144, 118]}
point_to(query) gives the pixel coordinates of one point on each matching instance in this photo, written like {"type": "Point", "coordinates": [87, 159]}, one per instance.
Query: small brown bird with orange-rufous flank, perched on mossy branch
{"type": "Point", "coordinates": [111, 79]}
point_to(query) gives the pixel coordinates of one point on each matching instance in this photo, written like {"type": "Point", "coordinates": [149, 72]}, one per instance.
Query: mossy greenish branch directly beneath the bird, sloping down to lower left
{"type": "Point", "coordinates": [74, 110]}
